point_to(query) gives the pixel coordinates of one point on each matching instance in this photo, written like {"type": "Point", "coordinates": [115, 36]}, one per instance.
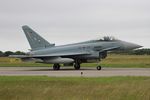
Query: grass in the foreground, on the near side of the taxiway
{"type": "Point", "coordinates": [69, 88]}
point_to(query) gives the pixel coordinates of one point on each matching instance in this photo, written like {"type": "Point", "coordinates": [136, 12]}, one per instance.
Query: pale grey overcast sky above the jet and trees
{"type": "Point", "coordinates": [70, 21]}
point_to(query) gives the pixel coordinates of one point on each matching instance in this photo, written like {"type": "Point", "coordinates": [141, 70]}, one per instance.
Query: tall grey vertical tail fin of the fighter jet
{"type": "Point", "coordinates": [36, 41]}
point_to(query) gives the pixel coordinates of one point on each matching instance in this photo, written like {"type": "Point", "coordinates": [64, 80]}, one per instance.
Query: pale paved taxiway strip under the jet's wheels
{"type": "Point", "coordinates": [70, 72]}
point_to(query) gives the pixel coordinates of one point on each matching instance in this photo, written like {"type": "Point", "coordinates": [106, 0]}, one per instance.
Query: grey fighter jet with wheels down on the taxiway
{"type": "Point", "coordinates": [84, 52]}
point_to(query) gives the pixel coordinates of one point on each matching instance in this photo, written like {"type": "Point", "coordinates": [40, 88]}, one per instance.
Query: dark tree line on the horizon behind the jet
{"type": "Point", "coordinates": [133, 52]}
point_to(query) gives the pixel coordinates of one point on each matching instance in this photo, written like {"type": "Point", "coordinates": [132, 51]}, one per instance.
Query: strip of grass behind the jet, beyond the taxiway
{"type": "Point", "coordinates": [139, 61]}
